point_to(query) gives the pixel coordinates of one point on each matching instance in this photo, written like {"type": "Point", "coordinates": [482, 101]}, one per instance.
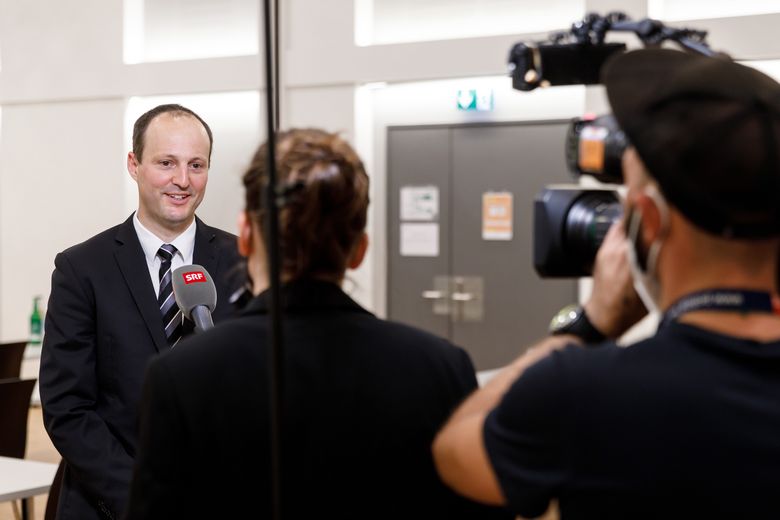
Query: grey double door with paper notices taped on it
{"type": "Point", "coordinates": [476, 284]}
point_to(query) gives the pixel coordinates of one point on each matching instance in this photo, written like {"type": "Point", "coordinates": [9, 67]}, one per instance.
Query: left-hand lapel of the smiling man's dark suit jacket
{"type": "Point", "coordinates": [130, 258]}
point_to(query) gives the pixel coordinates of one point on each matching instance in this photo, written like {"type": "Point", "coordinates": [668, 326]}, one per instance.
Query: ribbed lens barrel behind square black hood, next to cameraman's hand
{"type": "Point", "coordinates": [587, 223]}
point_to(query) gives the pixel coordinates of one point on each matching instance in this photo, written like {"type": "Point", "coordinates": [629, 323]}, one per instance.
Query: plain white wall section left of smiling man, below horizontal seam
{"type": "Point", "coordinates": [61, 174]}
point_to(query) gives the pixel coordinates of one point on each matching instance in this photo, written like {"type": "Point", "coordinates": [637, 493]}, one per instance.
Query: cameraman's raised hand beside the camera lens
{"type": "Point", "coordinates": [614, 305]}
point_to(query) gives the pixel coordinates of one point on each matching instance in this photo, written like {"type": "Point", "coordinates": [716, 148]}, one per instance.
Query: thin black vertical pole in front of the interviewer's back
{"type": "Point", "coordinates": [276, 352]}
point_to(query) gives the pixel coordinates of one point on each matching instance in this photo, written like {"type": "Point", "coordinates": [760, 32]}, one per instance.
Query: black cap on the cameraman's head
{"type": "Point", "coordinates": [708, 130]}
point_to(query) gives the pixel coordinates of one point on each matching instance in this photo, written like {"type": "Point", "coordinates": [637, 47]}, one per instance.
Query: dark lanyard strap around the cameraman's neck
{"type": "Point", "coordinates": [723, 300]}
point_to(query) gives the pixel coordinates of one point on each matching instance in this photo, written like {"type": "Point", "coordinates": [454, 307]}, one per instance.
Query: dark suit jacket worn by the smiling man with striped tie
{"type": "Point", "coordinates": [102, 327]}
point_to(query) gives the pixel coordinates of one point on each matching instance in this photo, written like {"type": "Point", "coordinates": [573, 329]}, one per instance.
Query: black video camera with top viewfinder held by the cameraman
{"type": "Point", "coordinates": [570, 222]}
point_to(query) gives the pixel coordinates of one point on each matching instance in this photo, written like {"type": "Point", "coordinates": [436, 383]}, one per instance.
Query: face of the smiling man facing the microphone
{"type": "Point", "coordinates": [171, 174]}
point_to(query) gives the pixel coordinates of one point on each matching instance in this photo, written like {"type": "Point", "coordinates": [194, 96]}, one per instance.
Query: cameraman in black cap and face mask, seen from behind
{"type": "Point", "coordinates": [687, 422]}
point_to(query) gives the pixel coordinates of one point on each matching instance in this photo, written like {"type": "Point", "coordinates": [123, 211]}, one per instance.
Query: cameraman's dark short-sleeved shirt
{"type": "Point", "coordinates": [684, 423]}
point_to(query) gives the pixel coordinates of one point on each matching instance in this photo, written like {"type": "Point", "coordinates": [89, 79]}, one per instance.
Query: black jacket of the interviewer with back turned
{"type": "Point", "coordinates": [363, 399]}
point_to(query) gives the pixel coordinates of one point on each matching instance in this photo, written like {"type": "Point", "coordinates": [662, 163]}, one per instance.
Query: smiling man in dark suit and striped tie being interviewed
{"type": "Point", "coordinates": [111, 309]}
